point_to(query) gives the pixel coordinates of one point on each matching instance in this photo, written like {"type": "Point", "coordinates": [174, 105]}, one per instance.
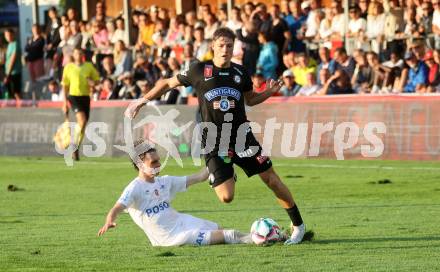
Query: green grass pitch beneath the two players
{"type": "Point", "coordinates": [366, 216]}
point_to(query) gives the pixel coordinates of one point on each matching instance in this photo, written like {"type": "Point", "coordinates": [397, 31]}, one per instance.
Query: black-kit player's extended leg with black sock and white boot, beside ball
{"type": "Point", "coordinates": [273, 181]}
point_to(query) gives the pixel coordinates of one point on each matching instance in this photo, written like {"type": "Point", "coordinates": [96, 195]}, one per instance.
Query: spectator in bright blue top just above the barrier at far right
{"type": "Point", "coordinates": [417, 74]}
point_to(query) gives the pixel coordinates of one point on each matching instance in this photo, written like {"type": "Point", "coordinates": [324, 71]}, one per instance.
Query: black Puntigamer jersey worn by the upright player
{"type": "Point", "coordinates": [220, 92]}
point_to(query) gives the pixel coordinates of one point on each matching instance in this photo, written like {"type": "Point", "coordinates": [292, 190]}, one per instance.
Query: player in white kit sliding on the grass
{"type": "Point", "coordinates": [147, 199]}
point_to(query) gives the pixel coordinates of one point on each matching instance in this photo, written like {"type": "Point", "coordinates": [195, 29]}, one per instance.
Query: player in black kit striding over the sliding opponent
{"type": "Point", "coordinates": [223, 88]}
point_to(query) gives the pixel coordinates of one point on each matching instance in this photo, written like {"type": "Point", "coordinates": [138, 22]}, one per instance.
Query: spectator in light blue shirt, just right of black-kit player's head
{"type": "Point", "coordinates": [268, 59]}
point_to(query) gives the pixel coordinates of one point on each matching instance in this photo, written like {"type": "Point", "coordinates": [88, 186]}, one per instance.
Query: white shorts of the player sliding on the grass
{"type": "Point", "coordinates": [193, 231]}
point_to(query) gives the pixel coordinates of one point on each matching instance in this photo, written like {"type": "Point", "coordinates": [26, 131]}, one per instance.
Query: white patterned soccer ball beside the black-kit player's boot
{"type": "Point", "coordinates": [265, 231]}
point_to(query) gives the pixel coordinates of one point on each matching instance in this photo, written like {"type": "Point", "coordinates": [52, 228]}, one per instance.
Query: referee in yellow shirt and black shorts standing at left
{"type": "Point", "coordinates": [78, 79]}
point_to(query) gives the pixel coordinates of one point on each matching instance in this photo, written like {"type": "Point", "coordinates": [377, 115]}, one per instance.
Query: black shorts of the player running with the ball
{"type": "Point", "coordinates": [251, 161]}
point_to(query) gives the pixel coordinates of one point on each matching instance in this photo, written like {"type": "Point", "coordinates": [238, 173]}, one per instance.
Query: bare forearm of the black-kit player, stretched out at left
{"type": "Point", "coordinates": [161, 87]}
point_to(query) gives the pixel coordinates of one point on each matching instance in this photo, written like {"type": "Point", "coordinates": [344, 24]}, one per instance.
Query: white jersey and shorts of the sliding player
{"type": "Point", "coordinates": [148, 204]}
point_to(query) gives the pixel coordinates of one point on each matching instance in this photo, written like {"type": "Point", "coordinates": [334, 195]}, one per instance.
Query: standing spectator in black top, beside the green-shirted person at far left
{"type": "Point", "coordinates": [35, 54]}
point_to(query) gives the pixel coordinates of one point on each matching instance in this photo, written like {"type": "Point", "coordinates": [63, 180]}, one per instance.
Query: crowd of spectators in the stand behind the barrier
{"type": "Point", "coordinates": [386, 46]}
